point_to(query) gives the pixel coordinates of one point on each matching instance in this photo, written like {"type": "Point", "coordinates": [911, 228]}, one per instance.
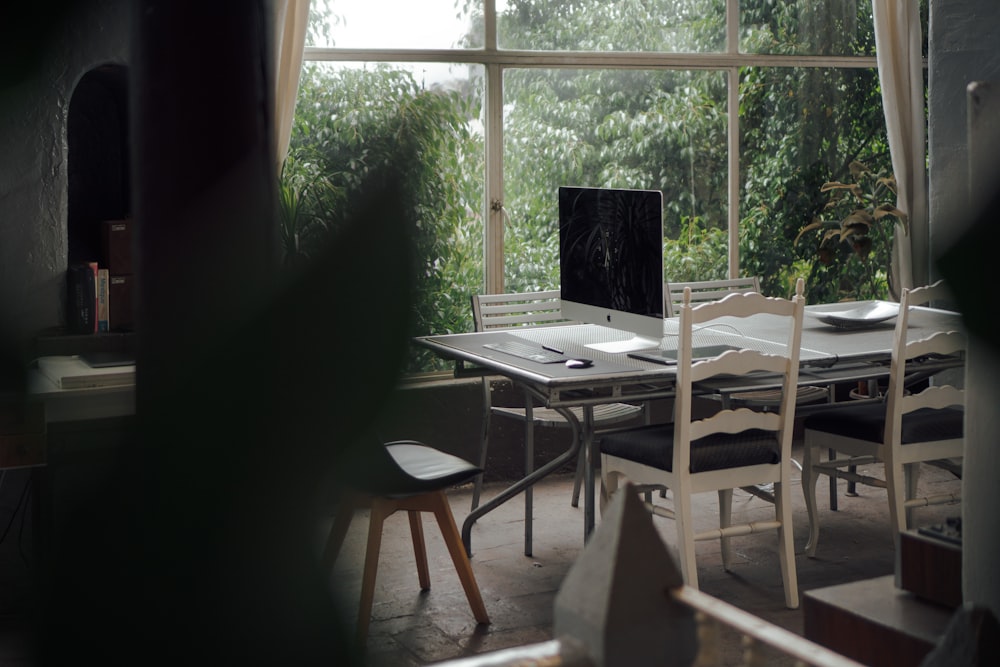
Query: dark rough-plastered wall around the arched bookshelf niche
{"type": "Point", "coordinates": [76, 38]}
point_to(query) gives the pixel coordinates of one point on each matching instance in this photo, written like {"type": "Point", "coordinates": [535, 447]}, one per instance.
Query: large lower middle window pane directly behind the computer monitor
{"type": "Point", "coordinates": [662, 130]}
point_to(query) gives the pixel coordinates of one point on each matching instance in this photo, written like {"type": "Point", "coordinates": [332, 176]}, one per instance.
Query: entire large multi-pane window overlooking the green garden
{"type": "Point", "coordinates": [738, 110]}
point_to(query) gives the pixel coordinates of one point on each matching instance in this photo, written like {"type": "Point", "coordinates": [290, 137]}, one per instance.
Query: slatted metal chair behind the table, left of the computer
{"type": "Point", "coordinates": [532, 309]}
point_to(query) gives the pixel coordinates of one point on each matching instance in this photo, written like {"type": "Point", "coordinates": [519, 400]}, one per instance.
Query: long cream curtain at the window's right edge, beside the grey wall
{"type": "Point", "coordinates": [900, 68]}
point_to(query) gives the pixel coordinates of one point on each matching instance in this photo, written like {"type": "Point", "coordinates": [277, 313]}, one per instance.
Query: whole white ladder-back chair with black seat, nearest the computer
{"type": "Point", "coordinates": [730, 449]}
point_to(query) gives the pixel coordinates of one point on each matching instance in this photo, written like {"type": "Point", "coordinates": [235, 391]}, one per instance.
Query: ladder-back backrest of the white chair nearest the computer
{"type": "Point", "coordinates": [776, 358]}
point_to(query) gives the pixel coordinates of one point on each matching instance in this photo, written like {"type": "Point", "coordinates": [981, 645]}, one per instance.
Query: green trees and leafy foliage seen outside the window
{"type": "Point", "coordinates": [665, 129]}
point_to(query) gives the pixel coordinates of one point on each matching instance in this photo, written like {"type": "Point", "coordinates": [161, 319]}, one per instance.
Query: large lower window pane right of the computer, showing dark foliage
{"type": "Point", "coordinates": [802, 128]}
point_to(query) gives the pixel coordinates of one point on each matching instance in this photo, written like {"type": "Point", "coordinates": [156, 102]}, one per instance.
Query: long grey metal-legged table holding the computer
{"type": "Point", "coordinates": [828, 354]}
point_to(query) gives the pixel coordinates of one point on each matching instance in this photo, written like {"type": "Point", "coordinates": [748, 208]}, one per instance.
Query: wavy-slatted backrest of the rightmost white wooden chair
{"type": "Point", "coordinates": [937, 396]}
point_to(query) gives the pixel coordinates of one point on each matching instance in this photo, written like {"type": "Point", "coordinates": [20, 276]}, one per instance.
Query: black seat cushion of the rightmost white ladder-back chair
{"type": "Point", "coordinates": [867, 422]}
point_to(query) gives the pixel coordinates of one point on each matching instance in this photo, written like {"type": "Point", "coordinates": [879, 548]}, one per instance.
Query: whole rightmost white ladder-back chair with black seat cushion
{"type": "Point", "coordinates": [901, 432]}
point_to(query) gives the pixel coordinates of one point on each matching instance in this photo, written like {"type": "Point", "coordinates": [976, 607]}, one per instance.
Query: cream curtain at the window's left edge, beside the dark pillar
{"type": "Point", "coordinates": [291, 18]}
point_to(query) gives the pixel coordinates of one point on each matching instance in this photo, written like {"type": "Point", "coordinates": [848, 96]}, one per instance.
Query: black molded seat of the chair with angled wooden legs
{"type": "Point", "coordinates": [407, 467]}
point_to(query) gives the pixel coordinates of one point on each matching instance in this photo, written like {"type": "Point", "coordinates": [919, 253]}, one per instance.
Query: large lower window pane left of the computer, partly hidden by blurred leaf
{"type": "Point", "coordinates": [350, 123]}
